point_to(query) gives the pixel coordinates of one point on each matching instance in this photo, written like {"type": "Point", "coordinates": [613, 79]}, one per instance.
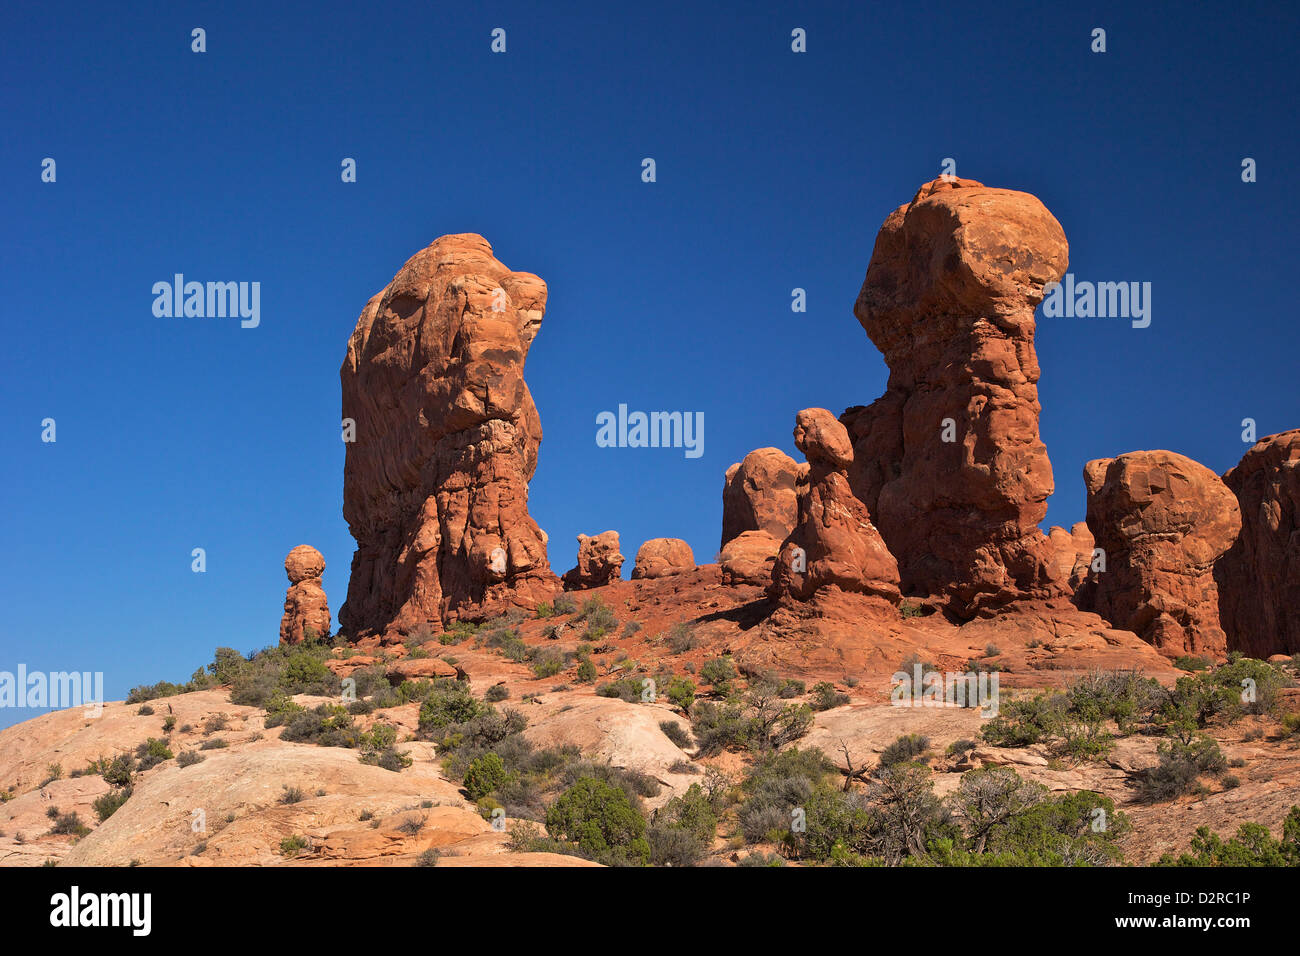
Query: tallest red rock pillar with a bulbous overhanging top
{"type": "Point", "coordinates": [950, 300]}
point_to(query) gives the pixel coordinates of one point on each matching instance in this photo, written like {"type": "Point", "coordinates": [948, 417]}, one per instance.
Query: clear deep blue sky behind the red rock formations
{"type": "Point", "coordinates": [774, 171]}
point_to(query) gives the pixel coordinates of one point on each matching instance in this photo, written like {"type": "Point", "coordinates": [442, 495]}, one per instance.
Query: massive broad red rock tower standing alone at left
{"type": "Point", "coordinates": [447, 439]}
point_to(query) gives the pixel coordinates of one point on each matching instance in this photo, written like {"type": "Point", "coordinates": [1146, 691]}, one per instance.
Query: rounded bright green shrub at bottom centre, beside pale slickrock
{"type": "Point", "coordinates": [601, 821]}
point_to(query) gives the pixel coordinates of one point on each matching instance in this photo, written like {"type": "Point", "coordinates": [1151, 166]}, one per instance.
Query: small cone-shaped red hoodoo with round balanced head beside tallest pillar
{"type": "Point", "coordinates": [834, 544]}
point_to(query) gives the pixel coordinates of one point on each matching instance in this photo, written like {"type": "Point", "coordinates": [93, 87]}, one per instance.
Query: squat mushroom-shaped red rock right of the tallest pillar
{"type": "Point", "coordinates": [1163, 521]}
